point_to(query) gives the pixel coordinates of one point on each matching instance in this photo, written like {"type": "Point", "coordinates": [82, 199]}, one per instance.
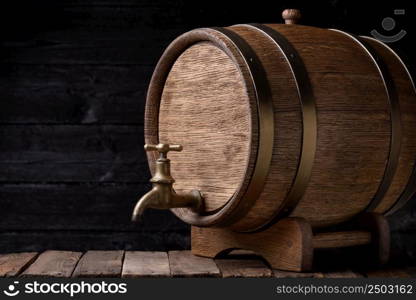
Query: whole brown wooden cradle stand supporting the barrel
{"type": "Point", "coordinates": [289, 244]}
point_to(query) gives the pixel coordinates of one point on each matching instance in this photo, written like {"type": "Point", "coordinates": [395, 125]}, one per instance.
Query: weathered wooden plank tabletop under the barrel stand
{"type": "Point", "coordinates": [161, 264]}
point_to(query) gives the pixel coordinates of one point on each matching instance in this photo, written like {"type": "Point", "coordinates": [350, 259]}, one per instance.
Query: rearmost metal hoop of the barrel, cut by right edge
{"type": "Point", "coordinates": [410, 188]}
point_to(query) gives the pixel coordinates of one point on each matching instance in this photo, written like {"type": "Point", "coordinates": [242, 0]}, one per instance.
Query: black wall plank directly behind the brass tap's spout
{"type": "Point", "coordinates": [80, 207]}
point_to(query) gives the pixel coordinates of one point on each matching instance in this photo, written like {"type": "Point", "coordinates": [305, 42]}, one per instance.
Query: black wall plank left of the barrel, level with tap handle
{"type": "Point", "coordinates": [66, 153]}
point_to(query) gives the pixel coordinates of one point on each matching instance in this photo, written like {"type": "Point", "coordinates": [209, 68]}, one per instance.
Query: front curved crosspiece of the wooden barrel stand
{"type": "Point", "coordinates": [287, 245]}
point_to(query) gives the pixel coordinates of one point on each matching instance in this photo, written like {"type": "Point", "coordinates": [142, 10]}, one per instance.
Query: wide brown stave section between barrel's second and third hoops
{"type": "Point", "coordinates": [353, 124]}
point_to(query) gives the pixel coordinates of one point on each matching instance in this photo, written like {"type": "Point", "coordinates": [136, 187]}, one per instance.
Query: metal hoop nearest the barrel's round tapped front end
{"type": "Point", "coordinates": [265, 122]}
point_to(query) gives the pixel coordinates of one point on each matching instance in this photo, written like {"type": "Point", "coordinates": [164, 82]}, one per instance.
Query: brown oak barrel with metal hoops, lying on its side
{"type": "Point", "coordinates": [284, 120]}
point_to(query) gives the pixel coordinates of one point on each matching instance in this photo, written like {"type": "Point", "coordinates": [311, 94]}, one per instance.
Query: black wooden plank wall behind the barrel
{"type": "Point", "coordinates": [73, 78]}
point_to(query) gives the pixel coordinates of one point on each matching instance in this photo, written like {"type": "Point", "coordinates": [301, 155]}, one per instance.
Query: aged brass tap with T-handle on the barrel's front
{"type": "Point", "coordinates": [162, 195]}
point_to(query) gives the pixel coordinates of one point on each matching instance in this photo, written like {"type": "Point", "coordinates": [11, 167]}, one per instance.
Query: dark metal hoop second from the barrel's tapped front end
{"type": "Point", "coordinates": [309, 123]}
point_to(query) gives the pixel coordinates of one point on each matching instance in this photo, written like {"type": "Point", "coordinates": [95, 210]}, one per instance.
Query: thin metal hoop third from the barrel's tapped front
{"type": "Point", "coordinates": [396, 128]}
